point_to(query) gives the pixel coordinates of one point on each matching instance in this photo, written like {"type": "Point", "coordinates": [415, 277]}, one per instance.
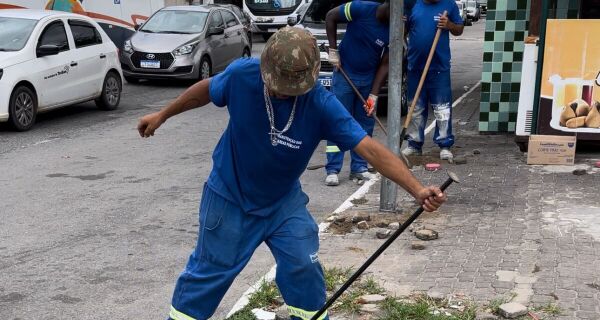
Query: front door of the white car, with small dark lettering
{"type": "Point", "coordinates": [54, 74]}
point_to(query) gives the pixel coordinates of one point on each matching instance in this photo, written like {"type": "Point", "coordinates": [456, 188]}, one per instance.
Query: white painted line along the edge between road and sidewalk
{"type": "Point", "coordinates": [270, 276]}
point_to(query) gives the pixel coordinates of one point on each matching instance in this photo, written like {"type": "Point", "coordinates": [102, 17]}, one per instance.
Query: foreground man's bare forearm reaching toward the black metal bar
{"type": "Point", "coordinates": [388, 164]}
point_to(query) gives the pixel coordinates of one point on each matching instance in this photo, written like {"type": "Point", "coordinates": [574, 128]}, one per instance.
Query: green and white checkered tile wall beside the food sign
{"type": "Point", "coordinates": [505, 30]}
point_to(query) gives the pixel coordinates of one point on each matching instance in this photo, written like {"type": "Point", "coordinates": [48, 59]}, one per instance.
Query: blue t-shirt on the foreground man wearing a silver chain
{"type": "Point", "coordinates": [247, 169]}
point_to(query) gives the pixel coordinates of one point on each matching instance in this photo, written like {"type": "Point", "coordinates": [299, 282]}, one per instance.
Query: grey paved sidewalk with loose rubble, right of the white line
{"type": "Point", "coordinates": [508, 229]}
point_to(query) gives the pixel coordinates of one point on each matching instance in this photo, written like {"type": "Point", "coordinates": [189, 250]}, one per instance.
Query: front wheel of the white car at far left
{"type": "Point", "coordinates": [22, 108]}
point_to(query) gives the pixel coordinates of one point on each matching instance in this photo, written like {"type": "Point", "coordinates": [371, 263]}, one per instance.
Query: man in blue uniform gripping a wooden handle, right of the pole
{"type": "Point", "coordinates": [426, 17]}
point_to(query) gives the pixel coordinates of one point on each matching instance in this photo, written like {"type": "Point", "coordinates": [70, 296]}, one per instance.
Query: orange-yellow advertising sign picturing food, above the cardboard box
{"type": "Point", "coordinates": [570, 95]}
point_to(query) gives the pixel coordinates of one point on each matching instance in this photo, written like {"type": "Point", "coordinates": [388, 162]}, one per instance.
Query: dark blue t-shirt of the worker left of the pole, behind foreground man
{"type": "Point", "coordinates": [365, 41]}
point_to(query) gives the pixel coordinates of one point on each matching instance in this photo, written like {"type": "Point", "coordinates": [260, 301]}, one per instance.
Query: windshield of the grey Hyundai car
{"type": "Point", "coordinates": [176, 21]}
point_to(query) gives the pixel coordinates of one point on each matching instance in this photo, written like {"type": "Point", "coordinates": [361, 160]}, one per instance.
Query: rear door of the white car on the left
{"type": "Point", "coordinates": [90, 58]}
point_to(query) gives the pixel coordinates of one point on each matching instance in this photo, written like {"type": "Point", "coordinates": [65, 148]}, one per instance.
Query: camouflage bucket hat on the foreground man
{"type": "Point", "coordinates": [290, 62]}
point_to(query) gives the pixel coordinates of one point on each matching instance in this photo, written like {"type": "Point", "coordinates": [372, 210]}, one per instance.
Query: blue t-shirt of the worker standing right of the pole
{"type": "Point", "coordinates": [423, 26]}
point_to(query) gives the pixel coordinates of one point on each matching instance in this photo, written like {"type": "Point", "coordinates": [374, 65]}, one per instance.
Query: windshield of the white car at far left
{"type": "Point", "coordinates": [14, 33]}
